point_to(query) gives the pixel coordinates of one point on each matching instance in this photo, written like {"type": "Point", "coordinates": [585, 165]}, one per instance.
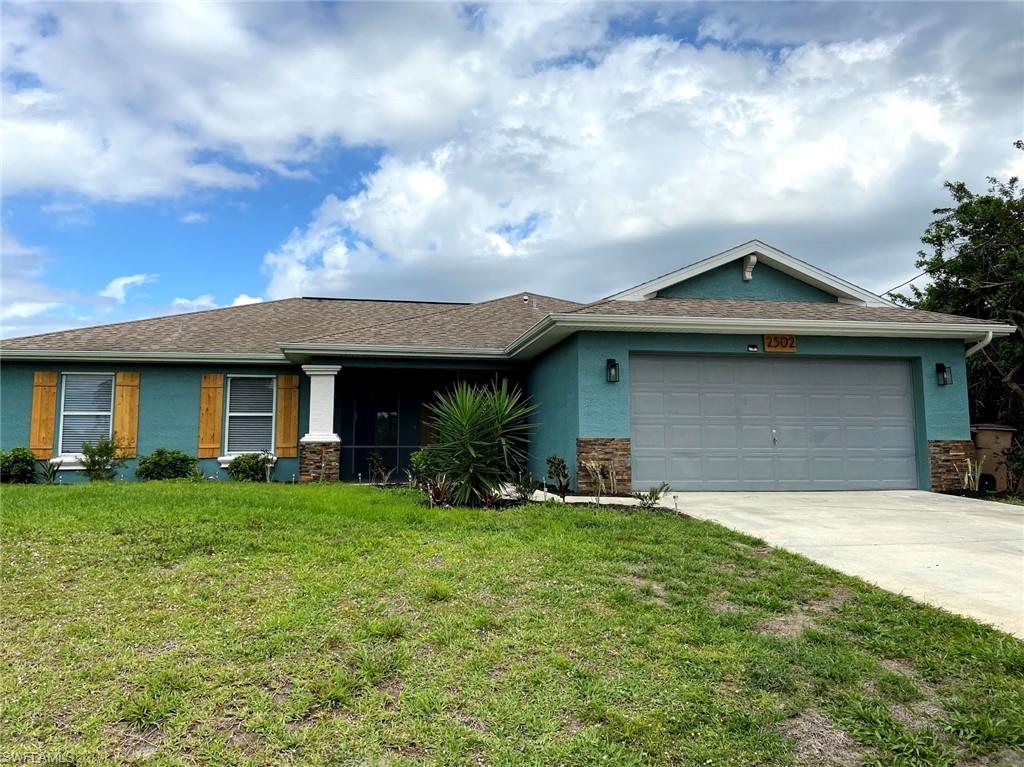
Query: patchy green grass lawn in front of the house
{"type": "Point", "coordinates": [238, 624]}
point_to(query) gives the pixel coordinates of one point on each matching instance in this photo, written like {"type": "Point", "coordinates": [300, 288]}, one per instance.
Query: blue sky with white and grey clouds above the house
{"type": "Point", "coordinates": [160, 158]}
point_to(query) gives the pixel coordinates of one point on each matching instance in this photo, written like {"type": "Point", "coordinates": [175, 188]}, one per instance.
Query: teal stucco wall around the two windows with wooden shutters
{"type": "Point", "coordinates": [168, 408]}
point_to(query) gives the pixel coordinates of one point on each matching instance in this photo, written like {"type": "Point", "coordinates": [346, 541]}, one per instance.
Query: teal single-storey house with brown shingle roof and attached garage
{"type": "Point", "coordinates": [750, 370]}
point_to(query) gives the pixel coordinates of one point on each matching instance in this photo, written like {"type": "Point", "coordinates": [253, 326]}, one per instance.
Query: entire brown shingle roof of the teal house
{"type": "Point", "coordinates": [492, 326]}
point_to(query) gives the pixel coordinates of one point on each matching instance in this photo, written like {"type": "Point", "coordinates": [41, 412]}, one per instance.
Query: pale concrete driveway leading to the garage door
{"type": "Point", "coordinates": [961, 555]}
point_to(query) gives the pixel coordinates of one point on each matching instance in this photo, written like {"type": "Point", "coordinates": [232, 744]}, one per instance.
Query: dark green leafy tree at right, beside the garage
{"type": "Point", "coordinates": [976, 265]}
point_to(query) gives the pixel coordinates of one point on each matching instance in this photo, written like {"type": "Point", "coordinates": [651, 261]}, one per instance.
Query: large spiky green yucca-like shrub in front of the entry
{"type": "Point", "coordinates": [482, 440]}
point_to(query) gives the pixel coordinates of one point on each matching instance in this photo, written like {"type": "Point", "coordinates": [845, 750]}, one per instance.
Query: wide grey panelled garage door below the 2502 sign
{"type": "Point", "coordinates": [772, 424]}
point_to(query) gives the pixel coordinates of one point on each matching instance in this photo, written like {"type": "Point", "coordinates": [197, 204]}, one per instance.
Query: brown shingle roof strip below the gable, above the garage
{"type": "Point", "coordinates": [707, 308]}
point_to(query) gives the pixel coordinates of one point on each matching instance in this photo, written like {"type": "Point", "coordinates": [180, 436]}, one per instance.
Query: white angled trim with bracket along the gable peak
{"type": "Point", "coordinates": [846, 292]}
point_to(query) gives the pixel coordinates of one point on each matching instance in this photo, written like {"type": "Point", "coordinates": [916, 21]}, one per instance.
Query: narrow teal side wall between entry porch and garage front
{"type": "Point", "coordinates": [553, 388]}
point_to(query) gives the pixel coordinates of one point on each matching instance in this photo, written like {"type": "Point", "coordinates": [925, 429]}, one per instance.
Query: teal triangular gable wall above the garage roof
{"type": "Point", "coordinates": [728, 282]}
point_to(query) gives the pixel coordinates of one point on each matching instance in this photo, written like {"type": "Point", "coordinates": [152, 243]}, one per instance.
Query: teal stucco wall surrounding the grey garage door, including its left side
{"type": "Point", "coordinates": [603, 410]}
